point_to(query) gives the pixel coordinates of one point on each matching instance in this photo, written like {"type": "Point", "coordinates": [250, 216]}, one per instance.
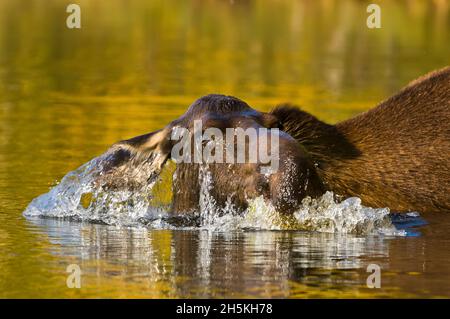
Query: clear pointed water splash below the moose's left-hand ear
{"type": "Point", "coordinates": [92, 193]}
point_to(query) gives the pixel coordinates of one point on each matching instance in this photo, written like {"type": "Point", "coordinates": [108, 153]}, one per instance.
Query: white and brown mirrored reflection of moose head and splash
{"type": "Point", "coordinates": [204, 264]}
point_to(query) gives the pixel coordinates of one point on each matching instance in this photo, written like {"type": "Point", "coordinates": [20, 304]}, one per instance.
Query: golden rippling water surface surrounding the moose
{"type": "Point", "coordinates": [67, 95]}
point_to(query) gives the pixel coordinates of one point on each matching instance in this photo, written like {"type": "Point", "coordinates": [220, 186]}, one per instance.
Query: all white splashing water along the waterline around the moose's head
{"type": "Point", "coordinates": [86, 195]}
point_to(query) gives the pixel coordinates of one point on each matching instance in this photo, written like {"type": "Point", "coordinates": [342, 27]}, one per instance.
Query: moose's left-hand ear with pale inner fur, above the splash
{"type": "Point", "coordinates": [155, 146]}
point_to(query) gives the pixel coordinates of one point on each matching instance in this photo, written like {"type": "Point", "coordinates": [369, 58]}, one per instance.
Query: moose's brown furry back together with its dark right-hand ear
{"type": "Point", "coordinates": [395, 155]}
